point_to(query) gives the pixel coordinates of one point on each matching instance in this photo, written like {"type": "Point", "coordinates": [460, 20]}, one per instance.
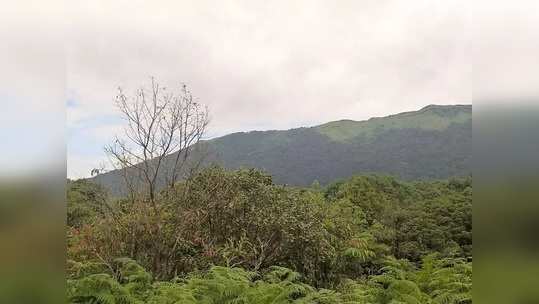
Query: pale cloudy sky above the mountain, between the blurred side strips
{"type": "Point", "coordinates": [265, 64]}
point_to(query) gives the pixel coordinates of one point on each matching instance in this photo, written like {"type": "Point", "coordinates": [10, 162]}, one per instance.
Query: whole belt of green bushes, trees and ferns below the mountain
{"type": "Point", "coordinates": [236, 236]}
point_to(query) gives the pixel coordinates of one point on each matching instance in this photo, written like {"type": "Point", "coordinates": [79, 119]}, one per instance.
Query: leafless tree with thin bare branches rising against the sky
{"type": "Point", "coordinates": [159, 122]}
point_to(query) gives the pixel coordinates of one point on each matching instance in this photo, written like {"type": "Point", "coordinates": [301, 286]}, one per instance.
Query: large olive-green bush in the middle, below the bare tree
{"type": "Point", "coordinates": [219, 217]}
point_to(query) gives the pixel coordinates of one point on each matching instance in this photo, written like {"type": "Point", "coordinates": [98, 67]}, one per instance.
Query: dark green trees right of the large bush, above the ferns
{"type": "Point", "coordinates": [413, 219]}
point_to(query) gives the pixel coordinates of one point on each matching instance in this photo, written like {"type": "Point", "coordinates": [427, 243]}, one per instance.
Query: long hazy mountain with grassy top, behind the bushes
{"type": "Point", "coordinates": [432, 143]}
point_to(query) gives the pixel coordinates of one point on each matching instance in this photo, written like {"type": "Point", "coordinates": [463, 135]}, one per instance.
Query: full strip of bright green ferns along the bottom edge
{"type": "Point", "coordinates": [438, 282]}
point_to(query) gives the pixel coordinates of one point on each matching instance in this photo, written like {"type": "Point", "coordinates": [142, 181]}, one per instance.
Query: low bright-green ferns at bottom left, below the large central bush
{"type": "Point", "coordinates": [217, 285]}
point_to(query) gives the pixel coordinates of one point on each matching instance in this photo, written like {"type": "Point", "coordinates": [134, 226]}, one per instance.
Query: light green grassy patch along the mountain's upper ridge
{"type": "Point", "coordinates": [432, 117]}
